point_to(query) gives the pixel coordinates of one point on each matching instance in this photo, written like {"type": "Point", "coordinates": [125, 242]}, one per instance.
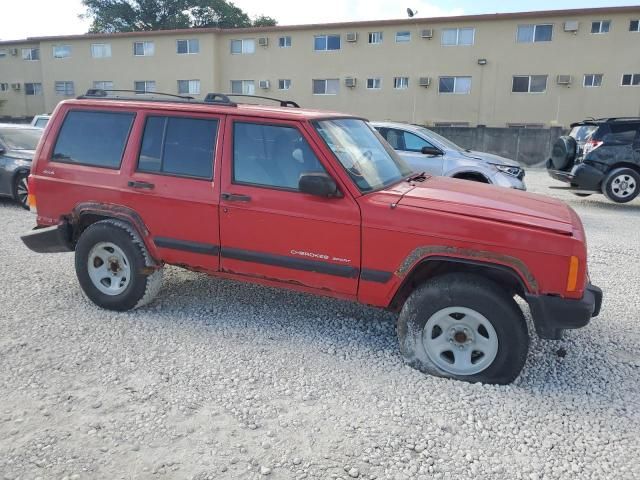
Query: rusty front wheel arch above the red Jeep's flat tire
{"type": "Point", "coordinates": [508, 277]}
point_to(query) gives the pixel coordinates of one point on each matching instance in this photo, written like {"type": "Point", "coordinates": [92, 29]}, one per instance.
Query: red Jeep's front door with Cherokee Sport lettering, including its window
{"type": "Point", "coordinates": [269, 229]}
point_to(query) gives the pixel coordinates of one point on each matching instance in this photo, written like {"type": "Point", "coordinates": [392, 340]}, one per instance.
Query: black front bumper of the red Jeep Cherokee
{"type": "Point", "coordinates": [552, 315]}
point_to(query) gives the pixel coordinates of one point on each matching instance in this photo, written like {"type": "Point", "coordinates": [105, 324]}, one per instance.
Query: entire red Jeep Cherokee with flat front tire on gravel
{"type": "Point", "coordinates": [311, 201]}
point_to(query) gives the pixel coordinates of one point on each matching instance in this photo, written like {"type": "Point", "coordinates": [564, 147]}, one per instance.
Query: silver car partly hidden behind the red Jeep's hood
{"type": "Point", "coordinates": [427, 151]}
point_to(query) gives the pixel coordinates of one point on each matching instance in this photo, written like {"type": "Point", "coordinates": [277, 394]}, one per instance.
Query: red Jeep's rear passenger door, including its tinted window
{"type": "Point", "coordinates": [172, 184]}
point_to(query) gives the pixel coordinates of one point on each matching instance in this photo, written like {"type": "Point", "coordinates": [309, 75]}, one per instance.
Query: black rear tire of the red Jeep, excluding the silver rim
{"type": "Point", "coordinates": [145, 277]}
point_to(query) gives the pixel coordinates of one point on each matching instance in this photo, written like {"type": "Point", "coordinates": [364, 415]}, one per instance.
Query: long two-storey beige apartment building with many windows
{"type": "Point", "coordinates": [531, 69]}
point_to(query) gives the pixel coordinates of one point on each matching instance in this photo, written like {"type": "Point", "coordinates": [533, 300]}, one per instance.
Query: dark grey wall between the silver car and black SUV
{"type": "Point", "coordinates": [529, 146]}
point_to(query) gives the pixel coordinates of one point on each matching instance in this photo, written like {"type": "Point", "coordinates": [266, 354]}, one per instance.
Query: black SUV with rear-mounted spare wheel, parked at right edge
{"type": "Point", "coordinates": [599, 156]}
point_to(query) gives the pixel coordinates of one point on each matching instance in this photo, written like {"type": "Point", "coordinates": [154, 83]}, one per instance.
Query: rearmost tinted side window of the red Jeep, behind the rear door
{"type": "Point", "coordinates": [97, 139]}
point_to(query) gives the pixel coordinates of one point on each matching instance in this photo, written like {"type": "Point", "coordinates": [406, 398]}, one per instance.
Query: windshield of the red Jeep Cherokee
{"type": "Point", "coordinates": [370, 162]}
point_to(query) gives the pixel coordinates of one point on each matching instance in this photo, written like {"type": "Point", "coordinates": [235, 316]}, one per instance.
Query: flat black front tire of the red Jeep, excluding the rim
{"type": "Point", "coordinates": [476, 294]}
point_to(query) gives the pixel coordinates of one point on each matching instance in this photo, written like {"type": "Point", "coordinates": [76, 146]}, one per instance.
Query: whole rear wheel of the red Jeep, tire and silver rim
{"type": "Point", "coordinates": [114, 268]}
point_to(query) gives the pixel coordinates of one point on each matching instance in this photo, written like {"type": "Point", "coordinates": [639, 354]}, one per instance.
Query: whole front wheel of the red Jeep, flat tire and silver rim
{"type": "Point", "coordinates": [464, 327]}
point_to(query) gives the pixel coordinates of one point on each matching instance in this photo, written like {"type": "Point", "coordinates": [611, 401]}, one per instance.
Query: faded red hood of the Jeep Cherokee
{"type": "Point", "coordinates": [479, 200]}
